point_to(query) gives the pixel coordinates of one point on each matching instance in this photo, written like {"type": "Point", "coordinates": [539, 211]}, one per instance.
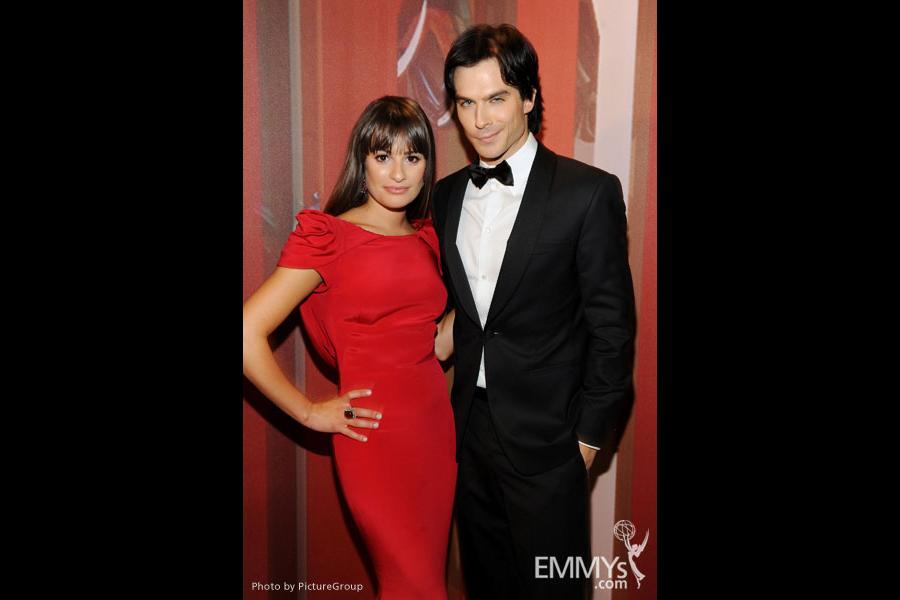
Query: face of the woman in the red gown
{"type": "Point", "coordinates": [394, 180]}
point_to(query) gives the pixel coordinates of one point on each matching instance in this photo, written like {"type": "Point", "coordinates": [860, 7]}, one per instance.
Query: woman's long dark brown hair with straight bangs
{"type": "Point", "coordinates": [383, 122]}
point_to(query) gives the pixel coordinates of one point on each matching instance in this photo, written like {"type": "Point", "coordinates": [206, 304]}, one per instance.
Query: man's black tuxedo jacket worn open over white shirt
{"type": "Point", "coordinates": [558, 341]}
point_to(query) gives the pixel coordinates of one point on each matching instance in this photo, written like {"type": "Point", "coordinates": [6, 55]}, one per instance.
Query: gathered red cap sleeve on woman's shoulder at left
{"type": "Point", "coordinates": [314, 244]}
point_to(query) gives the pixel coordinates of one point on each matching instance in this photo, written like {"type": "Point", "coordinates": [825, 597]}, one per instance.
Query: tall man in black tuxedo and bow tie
{"type": "Point", "coordinates": [535, 256]}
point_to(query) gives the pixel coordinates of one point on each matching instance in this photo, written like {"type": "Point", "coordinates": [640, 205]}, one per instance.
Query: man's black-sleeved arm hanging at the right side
{"type": "Point", "coordinates": [608, 297]}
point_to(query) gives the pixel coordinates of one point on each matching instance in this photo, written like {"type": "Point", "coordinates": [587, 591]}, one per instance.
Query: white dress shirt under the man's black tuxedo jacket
{"type": "Point", "coordinates": [487, 219]}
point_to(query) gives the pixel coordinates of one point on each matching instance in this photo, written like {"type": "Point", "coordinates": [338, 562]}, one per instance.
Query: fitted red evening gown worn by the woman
{"type": "Point", "coordinates": [373, 317]}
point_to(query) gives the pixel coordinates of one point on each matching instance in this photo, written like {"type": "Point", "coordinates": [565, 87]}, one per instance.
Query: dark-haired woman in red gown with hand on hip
{"type": "Point", "coordinates": [367, 274]}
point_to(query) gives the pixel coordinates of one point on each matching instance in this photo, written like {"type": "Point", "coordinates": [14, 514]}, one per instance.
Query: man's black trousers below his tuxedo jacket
{"type": "Point", "coordinates": [507, 520]}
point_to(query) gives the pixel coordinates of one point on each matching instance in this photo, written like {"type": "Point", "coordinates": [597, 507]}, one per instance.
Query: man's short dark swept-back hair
{"type": "Point", "coordinates": [515, 54]}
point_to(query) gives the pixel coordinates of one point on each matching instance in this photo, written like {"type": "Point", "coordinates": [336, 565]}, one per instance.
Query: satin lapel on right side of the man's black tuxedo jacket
{"type": "Point", "coordinates": [525, 229]}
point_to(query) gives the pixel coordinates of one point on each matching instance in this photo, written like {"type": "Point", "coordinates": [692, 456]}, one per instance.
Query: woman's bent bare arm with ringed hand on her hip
{"type": "Point", "coordinates": [263, 312]}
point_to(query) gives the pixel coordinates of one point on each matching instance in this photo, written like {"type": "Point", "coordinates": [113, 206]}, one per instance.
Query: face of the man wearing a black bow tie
{"type": "Point", "coordinates": [492, 113]}
